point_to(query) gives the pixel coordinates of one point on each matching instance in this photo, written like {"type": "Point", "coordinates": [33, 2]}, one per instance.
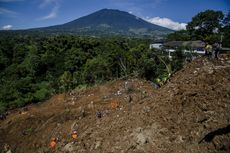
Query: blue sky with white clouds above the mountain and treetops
{"type": "Point", "coordinates": [23, 14]}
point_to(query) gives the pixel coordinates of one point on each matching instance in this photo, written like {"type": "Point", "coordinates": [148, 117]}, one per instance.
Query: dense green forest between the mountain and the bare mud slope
{"type": "Point", "coordinates": [34, 68]}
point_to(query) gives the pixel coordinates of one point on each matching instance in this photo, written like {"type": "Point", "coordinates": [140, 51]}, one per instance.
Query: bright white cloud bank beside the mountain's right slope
{"type": "Point", "coordinates": [168, 23]}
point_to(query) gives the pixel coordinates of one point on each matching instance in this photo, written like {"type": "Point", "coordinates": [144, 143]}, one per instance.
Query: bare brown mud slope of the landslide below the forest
{"type": "Point", "coordinates": [190, 114]}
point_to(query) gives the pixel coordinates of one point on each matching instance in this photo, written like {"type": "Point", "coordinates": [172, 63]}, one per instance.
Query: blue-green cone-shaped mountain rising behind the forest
{"type": "Point", "coordinates": [111, 22]}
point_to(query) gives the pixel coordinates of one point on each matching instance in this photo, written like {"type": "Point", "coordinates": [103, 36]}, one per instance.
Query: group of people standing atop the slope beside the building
{"type": "Point", "coordinates": [212, 51]}
